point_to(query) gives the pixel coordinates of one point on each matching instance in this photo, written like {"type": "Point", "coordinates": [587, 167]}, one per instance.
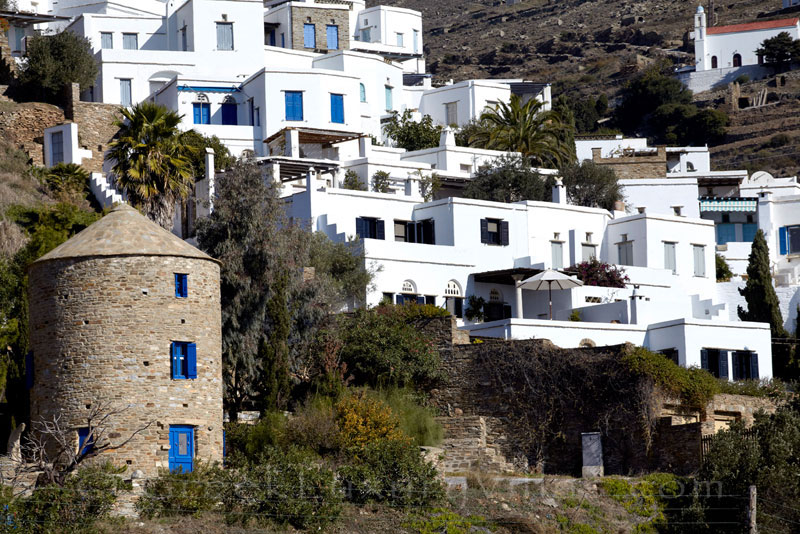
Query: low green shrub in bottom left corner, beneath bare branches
{"type": "Point", "coordinates": [87, 496]}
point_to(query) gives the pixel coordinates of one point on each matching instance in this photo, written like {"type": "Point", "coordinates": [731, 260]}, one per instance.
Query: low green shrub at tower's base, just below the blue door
{"type": "Point", "coordinates": [178, 494]}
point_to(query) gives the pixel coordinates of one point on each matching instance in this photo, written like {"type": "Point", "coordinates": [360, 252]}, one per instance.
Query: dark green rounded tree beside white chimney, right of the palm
{"type": "Point", "coordinates": [591, 185]}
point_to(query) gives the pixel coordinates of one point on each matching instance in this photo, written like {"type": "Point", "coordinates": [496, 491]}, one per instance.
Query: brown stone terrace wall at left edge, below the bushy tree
{"type": "Point", "coordinates": [24, 124]}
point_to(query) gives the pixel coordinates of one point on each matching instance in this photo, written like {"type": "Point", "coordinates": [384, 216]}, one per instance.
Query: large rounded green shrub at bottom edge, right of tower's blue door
{"type": "Point", "coordinates": [286, 486]}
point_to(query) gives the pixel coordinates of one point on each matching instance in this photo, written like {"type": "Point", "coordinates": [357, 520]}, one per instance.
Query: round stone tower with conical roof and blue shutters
{"type": "Point", "coordinates": [127, 314]}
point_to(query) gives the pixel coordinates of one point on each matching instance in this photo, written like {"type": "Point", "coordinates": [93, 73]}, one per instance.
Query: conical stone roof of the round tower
{"type": "Point", "coordinates": [124, 232]}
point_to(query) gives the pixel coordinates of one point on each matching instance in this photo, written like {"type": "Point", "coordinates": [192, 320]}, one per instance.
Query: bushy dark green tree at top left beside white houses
{"type": "Point", "coordinates": [53, 61]}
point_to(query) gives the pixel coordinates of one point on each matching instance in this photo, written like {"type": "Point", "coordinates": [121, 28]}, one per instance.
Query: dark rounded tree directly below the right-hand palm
{"type": "Point", "coordinates": [509, 178]}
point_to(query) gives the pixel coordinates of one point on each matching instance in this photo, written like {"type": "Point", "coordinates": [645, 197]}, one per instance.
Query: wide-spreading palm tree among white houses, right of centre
{"type": "Point", "coordinates": [539, 135]}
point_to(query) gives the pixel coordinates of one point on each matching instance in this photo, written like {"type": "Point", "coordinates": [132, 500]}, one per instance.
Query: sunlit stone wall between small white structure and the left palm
{"type": "Point", "coordinates": [96, 127]}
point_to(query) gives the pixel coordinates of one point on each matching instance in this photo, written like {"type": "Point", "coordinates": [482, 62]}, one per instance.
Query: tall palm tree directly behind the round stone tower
{"type": "Point", "coordinates": [150, 161]}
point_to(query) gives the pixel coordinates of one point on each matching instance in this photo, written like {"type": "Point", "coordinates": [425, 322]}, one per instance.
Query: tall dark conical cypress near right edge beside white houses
{"type": "Point", "coordinates": [762, 302]}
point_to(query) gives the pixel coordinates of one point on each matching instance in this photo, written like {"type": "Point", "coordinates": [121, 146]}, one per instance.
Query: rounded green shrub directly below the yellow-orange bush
{"type": "Point", "coordinates": [393, 472]}
